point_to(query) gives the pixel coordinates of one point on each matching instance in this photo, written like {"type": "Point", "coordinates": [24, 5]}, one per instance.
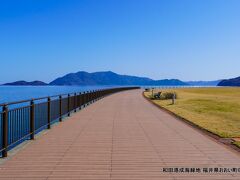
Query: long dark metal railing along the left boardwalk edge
{"type": "Point", "coordinates": [22, 120]}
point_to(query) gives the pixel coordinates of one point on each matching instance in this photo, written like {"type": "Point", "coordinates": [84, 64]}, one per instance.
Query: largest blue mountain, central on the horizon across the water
{"type": "Point", "coordinates": [110, 78]}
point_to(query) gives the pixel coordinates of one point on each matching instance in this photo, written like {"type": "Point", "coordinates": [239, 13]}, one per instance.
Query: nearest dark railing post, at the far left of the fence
{"type": "Point", "coordinates": [5, 131]}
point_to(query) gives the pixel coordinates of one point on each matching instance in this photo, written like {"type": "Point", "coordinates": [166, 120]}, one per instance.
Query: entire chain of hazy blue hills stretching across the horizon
{"type": "Point", "coordinates": [109, 78]}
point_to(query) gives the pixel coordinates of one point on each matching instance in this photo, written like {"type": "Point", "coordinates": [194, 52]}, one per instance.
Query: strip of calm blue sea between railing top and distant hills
{"type": "Point", "coordinates": [17, 93]}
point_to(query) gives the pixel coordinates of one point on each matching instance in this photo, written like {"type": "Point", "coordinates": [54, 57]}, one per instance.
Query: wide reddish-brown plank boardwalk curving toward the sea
{"type": "Point", "coordinates": [120, 137]}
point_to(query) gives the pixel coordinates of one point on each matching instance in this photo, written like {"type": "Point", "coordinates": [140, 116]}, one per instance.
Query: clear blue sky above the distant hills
{"type": "Point", "coordinates": [183, 39]}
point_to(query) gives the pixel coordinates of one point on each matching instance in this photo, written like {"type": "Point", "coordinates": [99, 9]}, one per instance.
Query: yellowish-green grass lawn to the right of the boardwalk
{"type": "Point", "coordinates": [215, 109]}
